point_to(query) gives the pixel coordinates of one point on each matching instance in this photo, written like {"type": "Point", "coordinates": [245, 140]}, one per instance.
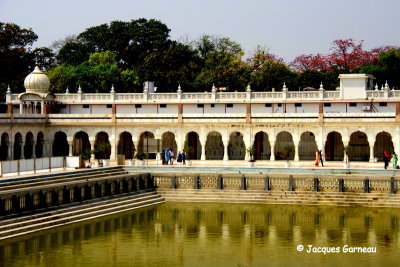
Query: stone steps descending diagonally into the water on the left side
{"type": "Point", "coordinates": [45, 219]}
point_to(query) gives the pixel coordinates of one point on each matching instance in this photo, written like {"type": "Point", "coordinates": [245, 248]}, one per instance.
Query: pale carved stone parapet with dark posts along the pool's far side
{"type": "Point", "coordinates": [290, 183]}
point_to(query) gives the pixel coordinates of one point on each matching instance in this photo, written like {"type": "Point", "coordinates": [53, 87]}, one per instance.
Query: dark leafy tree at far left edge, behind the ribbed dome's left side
{"type": "Point", "coordinates": [16, 58]}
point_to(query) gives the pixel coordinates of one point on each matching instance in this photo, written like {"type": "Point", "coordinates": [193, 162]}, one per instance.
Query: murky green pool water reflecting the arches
{"type": "Point", "coordinates": [180, 234]}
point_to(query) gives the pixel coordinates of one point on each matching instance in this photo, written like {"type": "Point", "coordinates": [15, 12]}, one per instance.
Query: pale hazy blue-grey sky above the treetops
{"type": "Point", "coordinates": [287, 27]}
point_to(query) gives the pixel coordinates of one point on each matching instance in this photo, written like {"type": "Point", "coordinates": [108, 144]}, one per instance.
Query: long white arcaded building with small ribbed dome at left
{"type": "Point", "coordinates": [218, 125]}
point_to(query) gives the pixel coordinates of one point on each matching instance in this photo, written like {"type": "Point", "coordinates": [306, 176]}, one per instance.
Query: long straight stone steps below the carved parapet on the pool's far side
{"type": "Point", "coordinates": [282, 197]}
